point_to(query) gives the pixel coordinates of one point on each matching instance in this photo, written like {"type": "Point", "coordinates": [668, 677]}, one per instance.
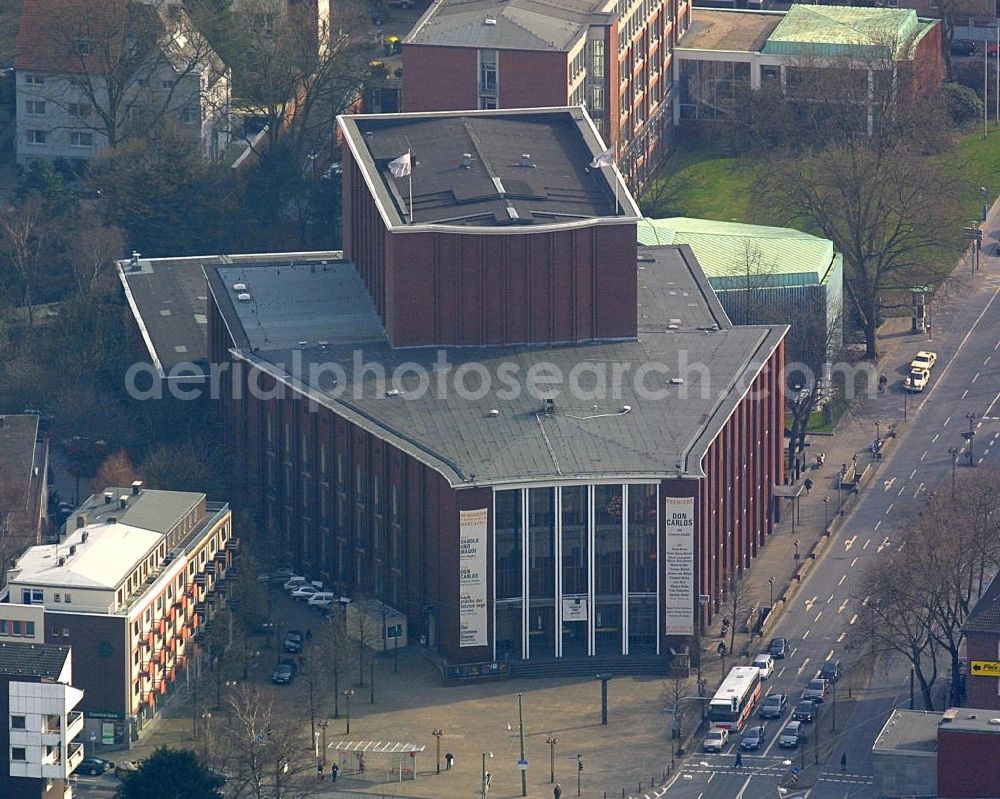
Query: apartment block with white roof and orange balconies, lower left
{"type": "Point", "coordinates": [137, 574]}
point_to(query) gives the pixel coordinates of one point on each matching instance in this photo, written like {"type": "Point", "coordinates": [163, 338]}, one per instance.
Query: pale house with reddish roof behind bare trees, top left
{"type": "Point", "coordinates": [89, 74]}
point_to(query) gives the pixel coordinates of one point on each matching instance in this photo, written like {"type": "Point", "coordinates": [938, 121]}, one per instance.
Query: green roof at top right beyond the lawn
{"type": "Point", "coordinates": [838, 31]}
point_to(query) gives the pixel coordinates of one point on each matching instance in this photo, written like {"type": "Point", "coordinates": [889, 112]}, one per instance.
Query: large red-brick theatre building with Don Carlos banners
{"type": "Point", "coordinates": [496, 413]}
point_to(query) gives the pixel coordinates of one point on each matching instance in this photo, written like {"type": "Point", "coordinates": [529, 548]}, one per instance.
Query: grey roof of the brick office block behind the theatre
{"type": "Point", "coordinates": [507, 24]}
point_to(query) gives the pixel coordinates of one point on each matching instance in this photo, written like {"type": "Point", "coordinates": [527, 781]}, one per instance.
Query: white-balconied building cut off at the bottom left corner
{"type": "Point", "coordinates": [40, 722]}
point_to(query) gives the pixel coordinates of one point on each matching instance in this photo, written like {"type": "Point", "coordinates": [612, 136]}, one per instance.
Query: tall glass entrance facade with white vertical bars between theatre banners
{"type": "Point", "coordinates": [576, 570]}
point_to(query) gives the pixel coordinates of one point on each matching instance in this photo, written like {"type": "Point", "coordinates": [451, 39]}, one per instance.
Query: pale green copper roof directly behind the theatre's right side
{"type": "Point", "coordinates": [728, 251]}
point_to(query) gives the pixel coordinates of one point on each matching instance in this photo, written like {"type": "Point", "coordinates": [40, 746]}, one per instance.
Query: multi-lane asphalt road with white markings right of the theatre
{"type": "Point", "coordinates": [965, 380]}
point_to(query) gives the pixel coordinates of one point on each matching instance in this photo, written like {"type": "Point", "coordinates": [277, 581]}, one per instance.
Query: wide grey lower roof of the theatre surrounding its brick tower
{"type": "Point", "coordinates": [682, 326]}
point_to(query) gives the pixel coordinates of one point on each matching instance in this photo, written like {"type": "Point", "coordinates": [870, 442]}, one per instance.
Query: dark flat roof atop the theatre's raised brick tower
{"type": "Point", "coordinates": [513, 169]}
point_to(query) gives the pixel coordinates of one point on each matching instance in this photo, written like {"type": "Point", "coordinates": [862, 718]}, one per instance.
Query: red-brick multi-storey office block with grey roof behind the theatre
{"type": "Point", "coordinates": [612, 56]}
